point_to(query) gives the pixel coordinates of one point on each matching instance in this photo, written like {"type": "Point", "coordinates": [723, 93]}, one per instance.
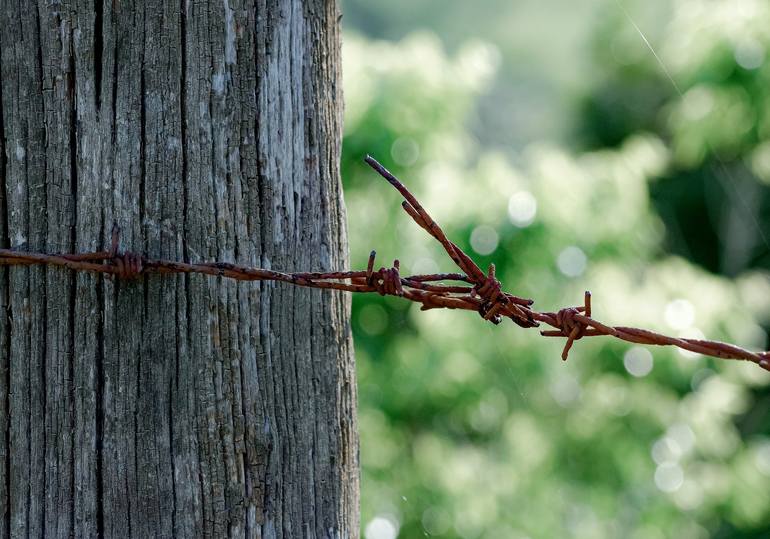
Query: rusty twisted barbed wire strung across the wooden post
{"type": "Point", "coordinates": [481, 292]}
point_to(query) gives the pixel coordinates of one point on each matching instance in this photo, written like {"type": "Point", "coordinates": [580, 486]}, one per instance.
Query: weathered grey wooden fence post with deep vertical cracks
{"type": "Point", "coordinates": [174, 406]}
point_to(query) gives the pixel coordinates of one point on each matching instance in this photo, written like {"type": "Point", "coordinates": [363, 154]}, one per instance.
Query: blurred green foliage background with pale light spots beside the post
{"type": "Point", "coordinates": [547, 137]}
